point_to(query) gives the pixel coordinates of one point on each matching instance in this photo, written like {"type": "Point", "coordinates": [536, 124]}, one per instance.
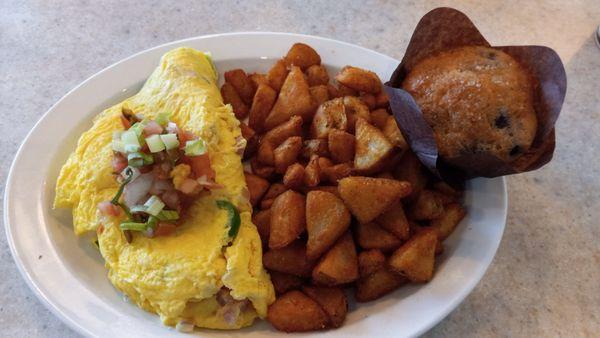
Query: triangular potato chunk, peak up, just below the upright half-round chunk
{"type": "Point", "coordinates": [339, 265]}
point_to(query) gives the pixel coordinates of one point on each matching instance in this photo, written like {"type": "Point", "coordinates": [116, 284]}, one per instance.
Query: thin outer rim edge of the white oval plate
{"type": "Point", "coordinates": [81, 329]}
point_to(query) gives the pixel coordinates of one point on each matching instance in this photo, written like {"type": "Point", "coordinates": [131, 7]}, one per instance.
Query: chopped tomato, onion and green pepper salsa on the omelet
{"type": "Point", "coordinates": [161, 170]}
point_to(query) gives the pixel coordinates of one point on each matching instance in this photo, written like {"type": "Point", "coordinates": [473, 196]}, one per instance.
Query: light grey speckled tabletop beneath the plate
{"type": "Point", "coordinates": [545, 279]}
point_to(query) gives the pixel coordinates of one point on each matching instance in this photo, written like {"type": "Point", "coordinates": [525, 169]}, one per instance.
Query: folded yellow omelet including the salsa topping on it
{"type": "Point", "coordinates": [159, 179]}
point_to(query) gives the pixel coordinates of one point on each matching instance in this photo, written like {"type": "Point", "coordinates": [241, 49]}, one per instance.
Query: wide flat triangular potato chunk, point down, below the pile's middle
{"type": "Point", "coordinates": [369, 197]}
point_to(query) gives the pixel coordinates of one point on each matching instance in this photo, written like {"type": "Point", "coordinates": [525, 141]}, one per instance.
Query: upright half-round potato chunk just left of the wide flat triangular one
{"type": "Point", "coordinates": [327, 218]}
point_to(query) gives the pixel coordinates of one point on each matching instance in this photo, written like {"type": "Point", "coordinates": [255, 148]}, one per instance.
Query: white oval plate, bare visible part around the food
{"type": "Point", "coordinates": [69, 277]}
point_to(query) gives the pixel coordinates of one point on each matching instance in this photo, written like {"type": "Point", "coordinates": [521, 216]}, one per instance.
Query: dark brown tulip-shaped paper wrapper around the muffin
{"type": "Point", "coordinates": [446, 28]}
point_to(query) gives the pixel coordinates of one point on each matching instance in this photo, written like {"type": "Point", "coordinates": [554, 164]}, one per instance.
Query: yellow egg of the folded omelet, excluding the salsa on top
{"type": "Point", "coordinates": [179, 276]}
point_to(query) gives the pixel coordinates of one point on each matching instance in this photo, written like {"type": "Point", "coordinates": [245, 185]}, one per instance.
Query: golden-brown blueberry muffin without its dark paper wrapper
{"type": "Point", "coordinates": [477, 100]}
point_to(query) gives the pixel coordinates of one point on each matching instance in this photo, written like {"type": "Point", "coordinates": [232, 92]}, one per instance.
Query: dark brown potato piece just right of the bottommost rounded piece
{"type": "Point", "coordinates": [332, 300]}
